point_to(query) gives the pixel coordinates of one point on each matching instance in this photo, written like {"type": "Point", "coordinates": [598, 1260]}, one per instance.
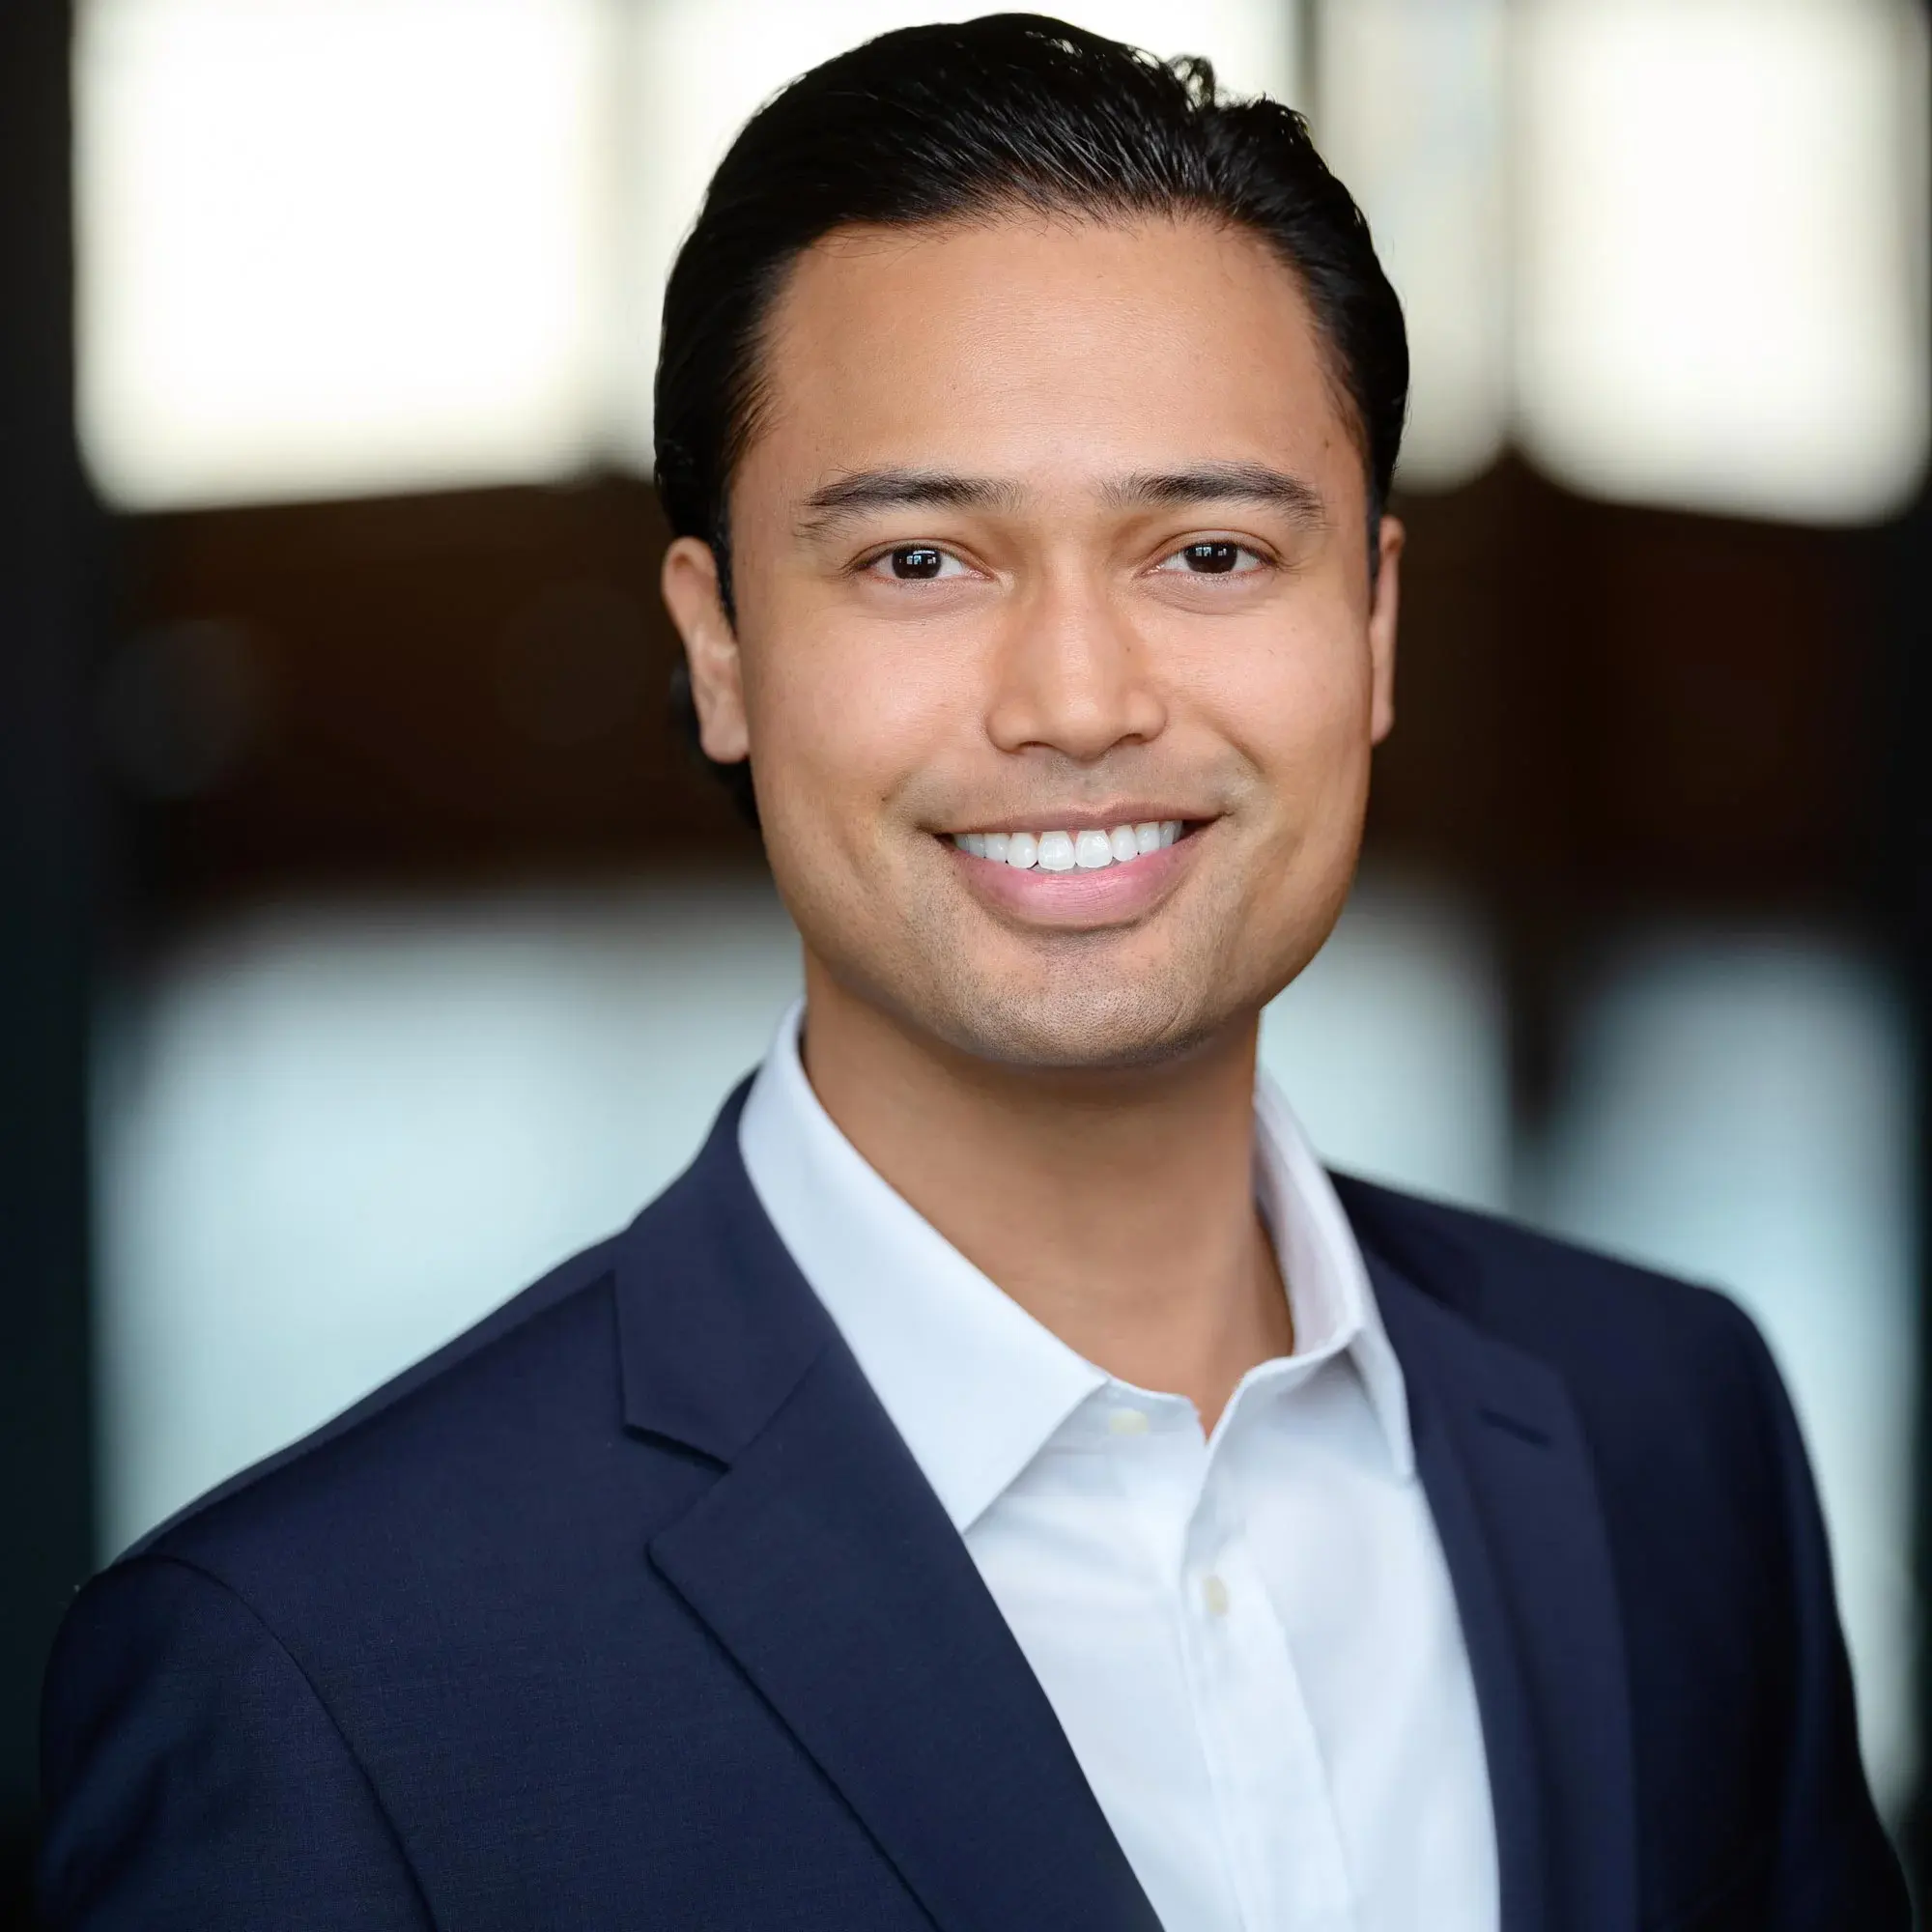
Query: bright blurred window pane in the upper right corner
{"type": "Point", "coordinates": [1722, 252]}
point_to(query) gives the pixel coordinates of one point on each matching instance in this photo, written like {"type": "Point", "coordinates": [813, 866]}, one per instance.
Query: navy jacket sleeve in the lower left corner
{"type": "Point", "coordinates": [192, 1778]}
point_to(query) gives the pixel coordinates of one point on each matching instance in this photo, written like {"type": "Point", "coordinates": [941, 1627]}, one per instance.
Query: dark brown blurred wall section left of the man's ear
{"type": "Point", "coordinates": [405, 691]}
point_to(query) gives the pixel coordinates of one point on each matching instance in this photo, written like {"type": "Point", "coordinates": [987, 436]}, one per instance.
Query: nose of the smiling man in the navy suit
{"type": "Point", "coordinates": [1073, 677]}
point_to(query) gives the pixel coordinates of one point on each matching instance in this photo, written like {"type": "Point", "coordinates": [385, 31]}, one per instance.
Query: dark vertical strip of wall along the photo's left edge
{"type": "Point", "coordinates": [45, 911]}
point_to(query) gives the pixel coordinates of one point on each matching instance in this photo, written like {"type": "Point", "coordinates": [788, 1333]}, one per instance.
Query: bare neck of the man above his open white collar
{"type": "Point", "coordinates": [1116, 1207]}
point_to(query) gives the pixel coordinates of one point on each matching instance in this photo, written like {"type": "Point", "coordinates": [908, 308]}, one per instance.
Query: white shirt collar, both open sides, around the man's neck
{"type": "Point", "coordinates": [967, 1377]}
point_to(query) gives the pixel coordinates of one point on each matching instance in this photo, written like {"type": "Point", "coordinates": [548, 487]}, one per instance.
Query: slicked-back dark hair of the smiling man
{"type": "Point", "coordinates": [1013, 111]}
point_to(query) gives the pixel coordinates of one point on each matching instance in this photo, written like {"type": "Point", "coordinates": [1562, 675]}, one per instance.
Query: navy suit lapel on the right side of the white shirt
{"type": "Point", "coordinates": [1510, 1483]}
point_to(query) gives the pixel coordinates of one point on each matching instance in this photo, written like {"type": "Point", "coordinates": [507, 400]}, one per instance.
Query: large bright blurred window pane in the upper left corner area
{"type": "Point", "coordinates": [337, 246]}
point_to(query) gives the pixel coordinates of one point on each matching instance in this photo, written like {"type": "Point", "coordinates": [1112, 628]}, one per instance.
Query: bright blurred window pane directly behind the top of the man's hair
{"type": "Point", "coordinates": [704, 67]}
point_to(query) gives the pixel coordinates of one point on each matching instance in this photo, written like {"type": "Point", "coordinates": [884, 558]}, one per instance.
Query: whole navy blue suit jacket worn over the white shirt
{"type": "Point", "coordinates": [633, 1610]}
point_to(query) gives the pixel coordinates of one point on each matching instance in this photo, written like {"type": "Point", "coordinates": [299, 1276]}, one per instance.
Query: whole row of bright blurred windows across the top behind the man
{"type": "Point", "coordinates": [355, 246]}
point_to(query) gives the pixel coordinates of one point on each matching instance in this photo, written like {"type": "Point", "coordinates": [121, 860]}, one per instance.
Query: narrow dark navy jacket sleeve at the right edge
{"type": "Point", "coordinates": [1833, 1863]}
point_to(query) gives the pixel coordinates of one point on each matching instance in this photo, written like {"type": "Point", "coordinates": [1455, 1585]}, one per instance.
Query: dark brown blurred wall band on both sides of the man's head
{"type": "Point", "coordinates": [1597, 706]}
